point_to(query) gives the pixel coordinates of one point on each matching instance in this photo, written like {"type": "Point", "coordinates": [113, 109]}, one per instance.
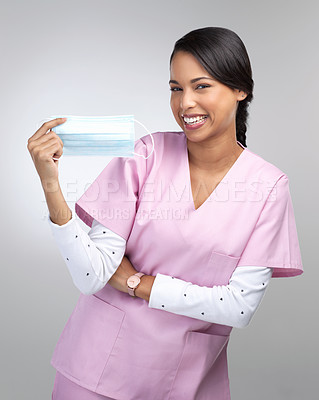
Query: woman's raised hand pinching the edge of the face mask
{"type": "Point", "coordinates": [43, 146]}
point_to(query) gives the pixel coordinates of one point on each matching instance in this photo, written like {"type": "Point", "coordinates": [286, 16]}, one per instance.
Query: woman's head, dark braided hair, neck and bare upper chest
{"type": "Point", "coordinates": [211, 86]}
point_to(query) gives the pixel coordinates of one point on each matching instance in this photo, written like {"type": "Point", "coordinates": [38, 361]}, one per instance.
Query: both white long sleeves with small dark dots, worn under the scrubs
{"type": "Point", "coordinates": [92, 258]}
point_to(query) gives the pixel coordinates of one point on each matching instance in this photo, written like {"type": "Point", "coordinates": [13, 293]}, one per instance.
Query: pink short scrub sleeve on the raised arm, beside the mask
{"type": "Point", "coordinates": [112, 198]}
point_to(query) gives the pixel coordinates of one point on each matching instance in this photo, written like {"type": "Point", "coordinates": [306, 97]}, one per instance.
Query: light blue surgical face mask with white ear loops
{"type": "Point", "coordinates": [98, 136]}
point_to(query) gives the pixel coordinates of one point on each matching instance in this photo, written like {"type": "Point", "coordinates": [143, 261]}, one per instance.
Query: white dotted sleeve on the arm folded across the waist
{"type": "Point", "coordinates": [233, 304]}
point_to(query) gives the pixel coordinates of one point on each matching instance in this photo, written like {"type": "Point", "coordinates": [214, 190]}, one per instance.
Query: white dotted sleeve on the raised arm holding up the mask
{"type": "Point", "coordinates": [91, 258]}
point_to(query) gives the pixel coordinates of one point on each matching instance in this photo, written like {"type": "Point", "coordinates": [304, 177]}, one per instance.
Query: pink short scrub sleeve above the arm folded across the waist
{"type": "Point", "coordinates": [274, 240]}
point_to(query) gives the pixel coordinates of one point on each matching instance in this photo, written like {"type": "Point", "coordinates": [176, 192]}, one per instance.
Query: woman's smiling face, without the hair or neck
{"type": "Point", "coordinates": [212, 102]}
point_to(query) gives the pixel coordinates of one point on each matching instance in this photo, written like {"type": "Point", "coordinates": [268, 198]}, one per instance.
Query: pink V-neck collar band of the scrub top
{"type": "Point", "coordinates": [226, 176]}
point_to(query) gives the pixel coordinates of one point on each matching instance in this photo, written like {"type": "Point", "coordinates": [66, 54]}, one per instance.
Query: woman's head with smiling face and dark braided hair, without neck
{"type": "Point", "coordinates": [211, 83]}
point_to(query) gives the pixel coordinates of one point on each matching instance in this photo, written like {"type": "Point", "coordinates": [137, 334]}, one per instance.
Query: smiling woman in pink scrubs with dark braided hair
{"type": "Point", "coordinates": [207, 221]}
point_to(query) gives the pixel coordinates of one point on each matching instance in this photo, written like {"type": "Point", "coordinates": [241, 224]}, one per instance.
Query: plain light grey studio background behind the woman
{"type": "Point", "coordinates": [112, 57]}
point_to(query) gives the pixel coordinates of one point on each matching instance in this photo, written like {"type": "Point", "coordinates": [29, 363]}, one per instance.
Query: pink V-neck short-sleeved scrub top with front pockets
{"type": "Point", "coordinates": [117, 345]}
